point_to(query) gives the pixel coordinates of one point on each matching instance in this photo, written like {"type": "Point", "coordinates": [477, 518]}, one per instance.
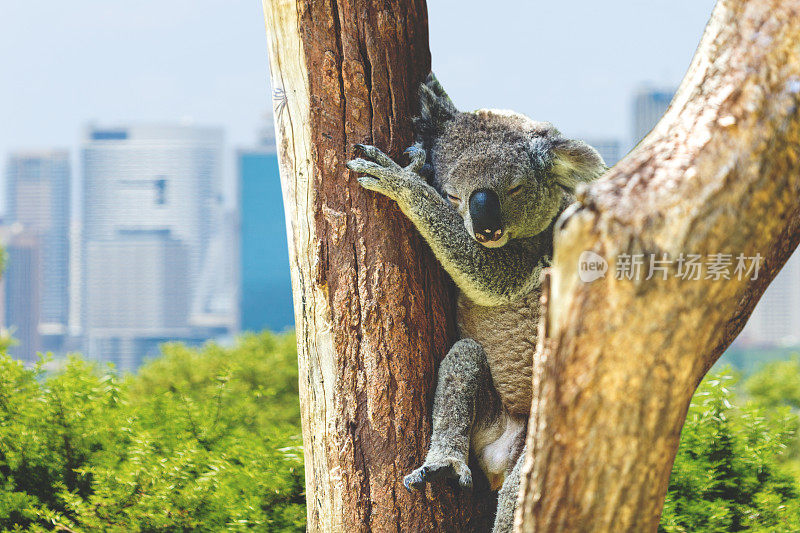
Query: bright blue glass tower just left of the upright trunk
{"type": "Point", "coordinates": [266, 293]}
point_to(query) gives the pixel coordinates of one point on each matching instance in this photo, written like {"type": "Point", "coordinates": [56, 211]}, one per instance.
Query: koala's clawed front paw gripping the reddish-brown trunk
{"type": "Point", "coordinates": [384, 175]}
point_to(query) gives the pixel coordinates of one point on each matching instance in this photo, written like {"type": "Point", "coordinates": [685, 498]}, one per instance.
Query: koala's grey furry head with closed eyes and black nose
{"type": "Point", "coordinates": [507, 175]}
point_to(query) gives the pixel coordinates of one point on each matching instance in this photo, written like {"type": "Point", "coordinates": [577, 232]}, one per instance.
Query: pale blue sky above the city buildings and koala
{"type": "Point", "coordinates": [575, 63]}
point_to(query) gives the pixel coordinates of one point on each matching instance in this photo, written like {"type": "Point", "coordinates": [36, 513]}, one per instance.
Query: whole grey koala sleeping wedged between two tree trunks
{"type": "Point", "coordinates": [499, 180]}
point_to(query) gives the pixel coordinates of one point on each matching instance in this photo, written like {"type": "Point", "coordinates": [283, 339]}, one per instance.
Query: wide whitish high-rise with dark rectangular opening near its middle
{"type": "Point", "coordinates": [149, 199]}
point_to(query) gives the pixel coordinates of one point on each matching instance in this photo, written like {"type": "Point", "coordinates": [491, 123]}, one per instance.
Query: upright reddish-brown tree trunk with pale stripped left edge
{"type": "Point", "coordinates": [372, 306]}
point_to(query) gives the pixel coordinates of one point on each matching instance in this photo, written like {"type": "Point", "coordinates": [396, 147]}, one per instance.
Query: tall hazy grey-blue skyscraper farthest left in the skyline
{"type": "Point", "coordinates": [38, 199]}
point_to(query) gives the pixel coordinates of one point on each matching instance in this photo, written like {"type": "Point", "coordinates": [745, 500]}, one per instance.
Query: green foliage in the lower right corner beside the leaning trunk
{"type": "Point", "coordinates": [729, 474]}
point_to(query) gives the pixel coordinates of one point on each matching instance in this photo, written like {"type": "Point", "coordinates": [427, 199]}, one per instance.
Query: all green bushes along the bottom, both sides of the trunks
{"type": "Point", "coordinates": [209, 440]}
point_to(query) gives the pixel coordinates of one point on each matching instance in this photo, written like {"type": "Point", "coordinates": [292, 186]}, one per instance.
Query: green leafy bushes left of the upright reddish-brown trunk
{"type": "Point", "coordinates": [198, 440]}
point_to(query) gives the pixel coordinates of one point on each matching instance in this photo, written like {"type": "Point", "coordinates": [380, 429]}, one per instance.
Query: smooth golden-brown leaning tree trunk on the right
{"type": "Point", "coordinates": [622, 358]}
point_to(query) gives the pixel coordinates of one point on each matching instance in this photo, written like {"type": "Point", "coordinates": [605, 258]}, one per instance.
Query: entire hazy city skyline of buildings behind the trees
{"type": "Point", "coordinates": [159, 257]}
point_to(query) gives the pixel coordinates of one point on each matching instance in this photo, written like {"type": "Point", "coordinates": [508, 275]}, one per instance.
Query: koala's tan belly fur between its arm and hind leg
{"type": "Point", "coordinates": [508, 335]}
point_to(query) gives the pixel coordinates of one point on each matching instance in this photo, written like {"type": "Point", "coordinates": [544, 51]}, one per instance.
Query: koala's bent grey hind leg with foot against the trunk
{"type": "Point", "coordinates": [463, 371]}
